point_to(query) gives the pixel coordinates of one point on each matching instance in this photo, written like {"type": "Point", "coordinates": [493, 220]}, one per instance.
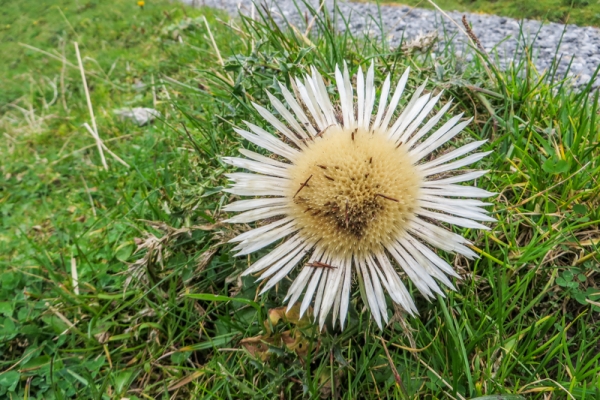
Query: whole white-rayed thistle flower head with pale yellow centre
{"type": "Point", "coordinates": [350, 192]}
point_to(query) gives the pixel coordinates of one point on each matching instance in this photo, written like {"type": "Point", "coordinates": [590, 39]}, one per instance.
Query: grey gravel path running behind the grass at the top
{"type": "Point", "coordinates": [580, 45]}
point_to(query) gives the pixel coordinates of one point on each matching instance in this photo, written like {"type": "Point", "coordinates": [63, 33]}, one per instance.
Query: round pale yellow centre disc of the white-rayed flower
{"type": "Point", "coordinates": [353, 191]}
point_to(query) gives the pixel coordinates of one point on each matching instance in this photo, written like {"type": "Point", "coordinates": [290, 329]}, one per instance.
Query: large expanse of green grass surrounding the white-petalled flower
{"type": "Point", "coordinates": [162, 311]}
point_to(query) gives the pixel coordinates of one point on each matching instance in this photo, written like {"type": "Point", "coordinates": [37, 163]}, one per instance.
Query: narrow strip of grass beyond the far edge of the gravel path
{"type": "Point", "coordinates": [579, 12]}
